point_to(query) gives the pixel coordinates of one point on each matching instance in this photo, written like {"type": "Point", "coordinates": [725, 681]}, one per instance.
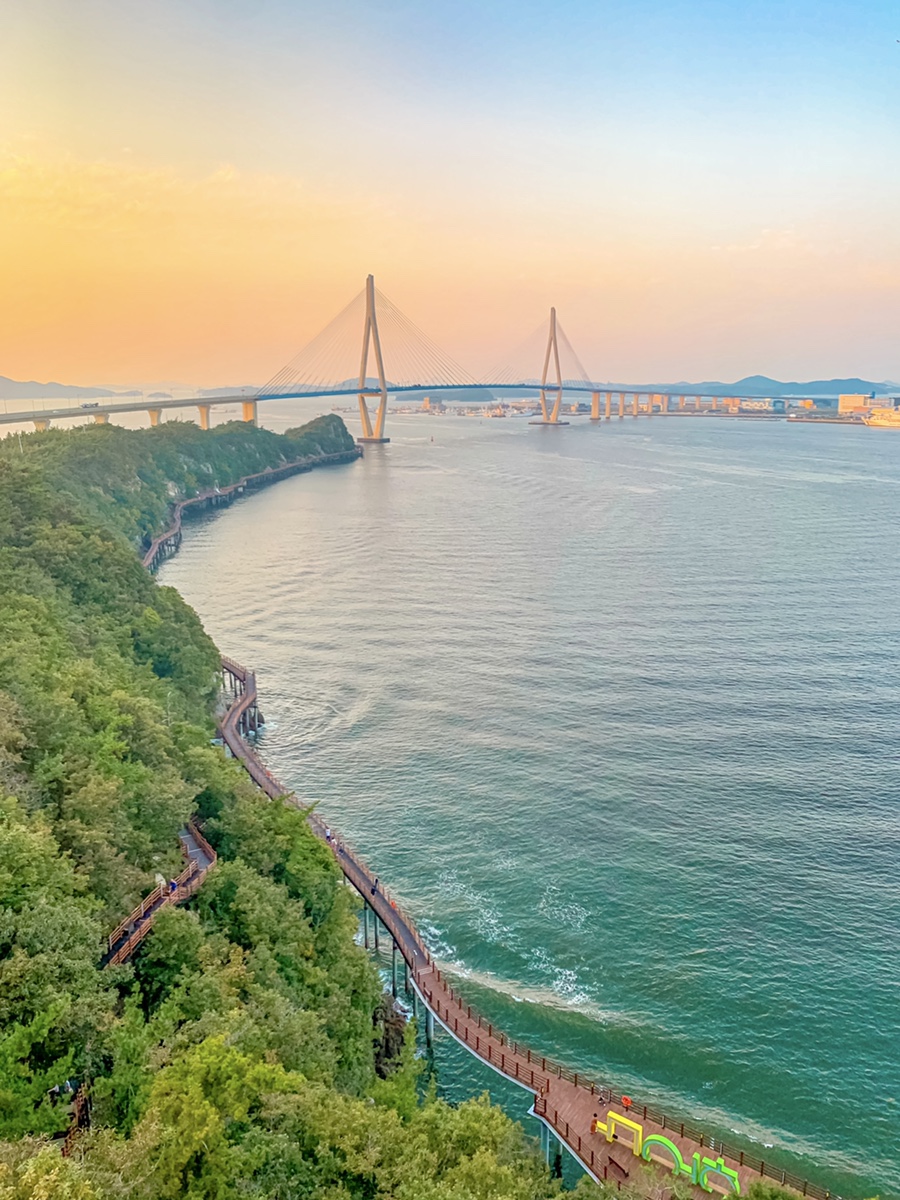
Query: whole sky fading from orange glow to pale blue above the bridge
{"type": "Point", "coordinates": [190, 190]}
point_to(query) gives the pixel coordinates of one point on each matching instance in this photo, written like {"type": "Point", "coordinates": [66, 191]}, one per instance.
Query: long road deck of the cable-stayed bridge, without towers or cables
{"type": "Point", "coordinates": [249, 403]}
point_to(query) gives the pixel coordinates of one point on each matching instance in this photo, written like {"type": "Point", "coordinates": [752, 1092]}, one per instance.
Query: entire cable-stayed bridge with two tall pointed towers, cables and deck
{"type": "Point", "coordinates": [371, 350]}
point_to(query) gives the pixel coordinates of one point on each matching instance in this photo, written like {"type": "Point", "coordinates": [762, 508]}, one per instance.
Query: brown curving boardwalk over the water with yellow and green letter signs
{"type": "Point", "coordinates": [566, 1102]}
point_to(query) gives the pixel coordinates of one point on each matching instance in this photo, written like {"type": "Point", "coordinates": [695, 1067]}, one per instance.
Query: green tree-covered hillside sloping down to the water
{"type": "Point", "coordinates": [247, 1051]}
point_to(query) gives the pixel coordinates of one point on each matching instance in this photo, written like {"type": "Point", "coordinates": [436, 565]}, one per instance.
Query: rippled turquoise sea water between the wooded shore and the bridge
{"type": "Point", "coordinates": [614, 710]}
